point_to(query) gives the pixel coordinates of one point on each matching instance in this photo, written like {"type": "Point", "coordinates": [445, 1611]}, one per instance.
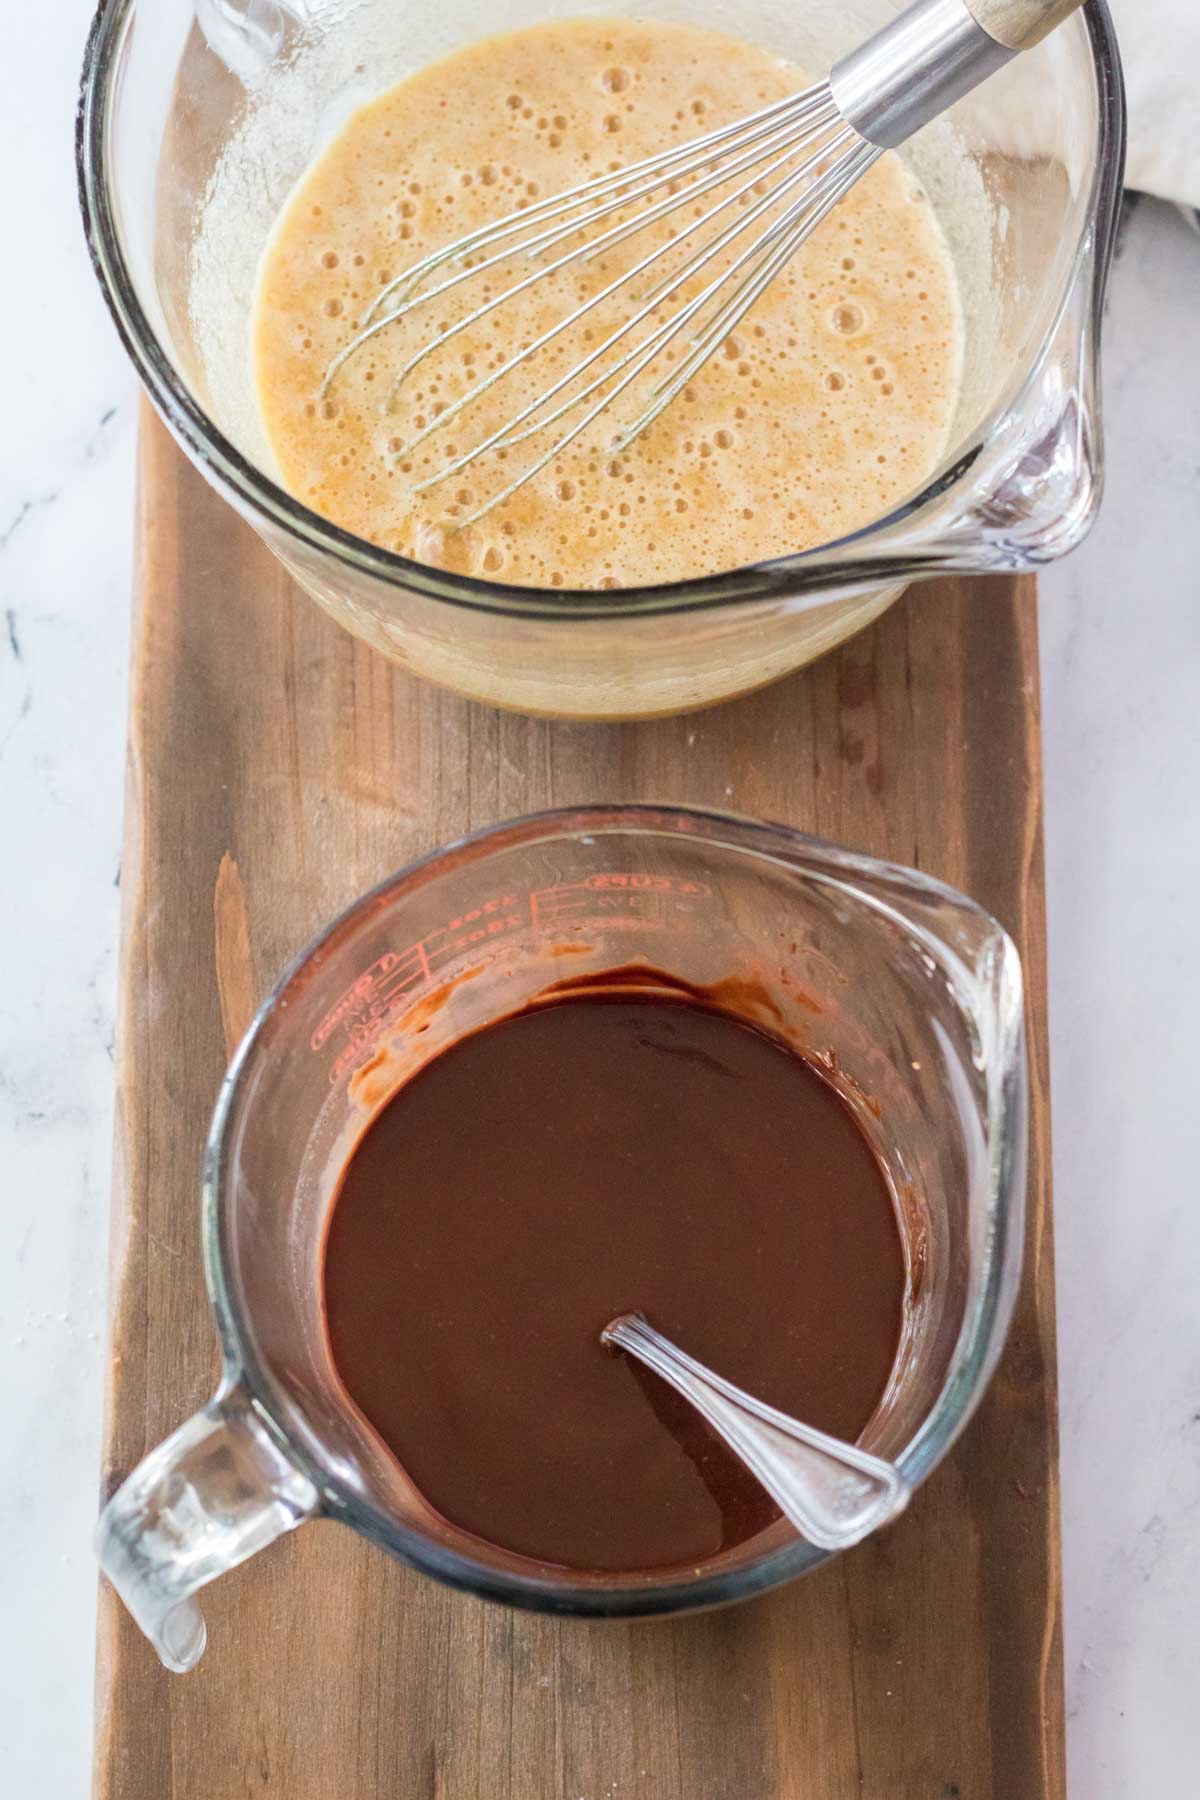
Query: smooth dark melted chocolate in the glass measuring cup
{"type": "Point", "coordinates": [602, 1155]}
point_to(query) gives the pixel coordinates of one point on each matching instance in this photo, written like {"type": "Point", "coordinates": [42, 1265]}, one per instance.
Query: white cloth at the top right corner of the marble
{"type": "Point", "coordinates": [1161, 53]}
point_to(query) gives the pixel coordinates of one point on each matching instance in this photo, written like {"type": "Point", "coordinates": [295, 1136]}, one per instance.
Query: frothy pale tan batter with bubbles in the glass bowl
{"type": "Point", "coordinates": [832, 400]}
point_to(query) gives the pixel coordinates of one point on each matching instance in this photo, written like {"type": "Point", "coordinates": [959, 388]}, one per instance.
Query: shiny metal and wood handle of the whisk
{"type": "Point", "coordinates": [931, 57]}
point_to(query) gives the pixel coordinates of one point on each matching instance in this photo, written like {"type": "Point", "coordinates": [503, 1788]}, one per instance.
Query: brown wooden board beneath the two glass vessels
{"type": "Point", "coordinates": [276, 769]}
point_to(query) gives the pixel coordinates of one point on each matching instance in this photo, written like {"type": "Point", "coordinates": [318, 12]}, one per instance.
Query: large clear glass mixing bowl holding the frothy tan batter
{"type": "Point", "coordinates": [199, 116]}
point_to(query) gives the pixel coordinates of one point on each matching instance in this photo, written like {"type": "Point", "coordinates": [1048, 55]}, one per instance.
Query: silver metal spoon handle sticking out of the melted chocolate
{"type": "Point", "coordinates": [834, 1493]}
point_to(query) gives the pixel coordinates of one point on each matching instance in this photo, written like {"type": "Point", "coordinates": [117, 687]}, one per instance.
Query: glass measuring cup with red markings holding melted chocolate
{"type": "Point", "coordinates": [906, 993]}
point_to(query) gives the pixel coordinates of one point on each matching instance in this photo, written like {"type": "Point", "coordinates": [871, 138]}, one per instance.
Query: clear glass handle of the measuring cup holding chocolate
{"type": "Point", "coordinates": [208, 1498]}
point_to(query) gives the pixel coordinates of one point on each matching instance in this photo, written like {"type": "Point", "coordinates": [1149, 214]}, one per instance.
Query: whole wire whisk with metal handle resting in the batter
{"type": "Point", "coordinates": [767, 181]}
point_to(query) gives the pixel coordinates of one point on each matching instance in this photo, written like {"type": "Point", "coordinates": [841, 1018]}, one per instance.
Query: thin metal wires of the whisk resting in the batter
{"type": "Point", "coordinates": [760, 148]}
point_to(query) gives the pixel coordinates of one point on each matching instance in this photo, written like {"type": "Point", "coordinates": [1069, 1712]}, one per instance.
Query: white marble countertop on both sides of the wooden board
{"type": "Point", "coordinates": [1122, 672]}
